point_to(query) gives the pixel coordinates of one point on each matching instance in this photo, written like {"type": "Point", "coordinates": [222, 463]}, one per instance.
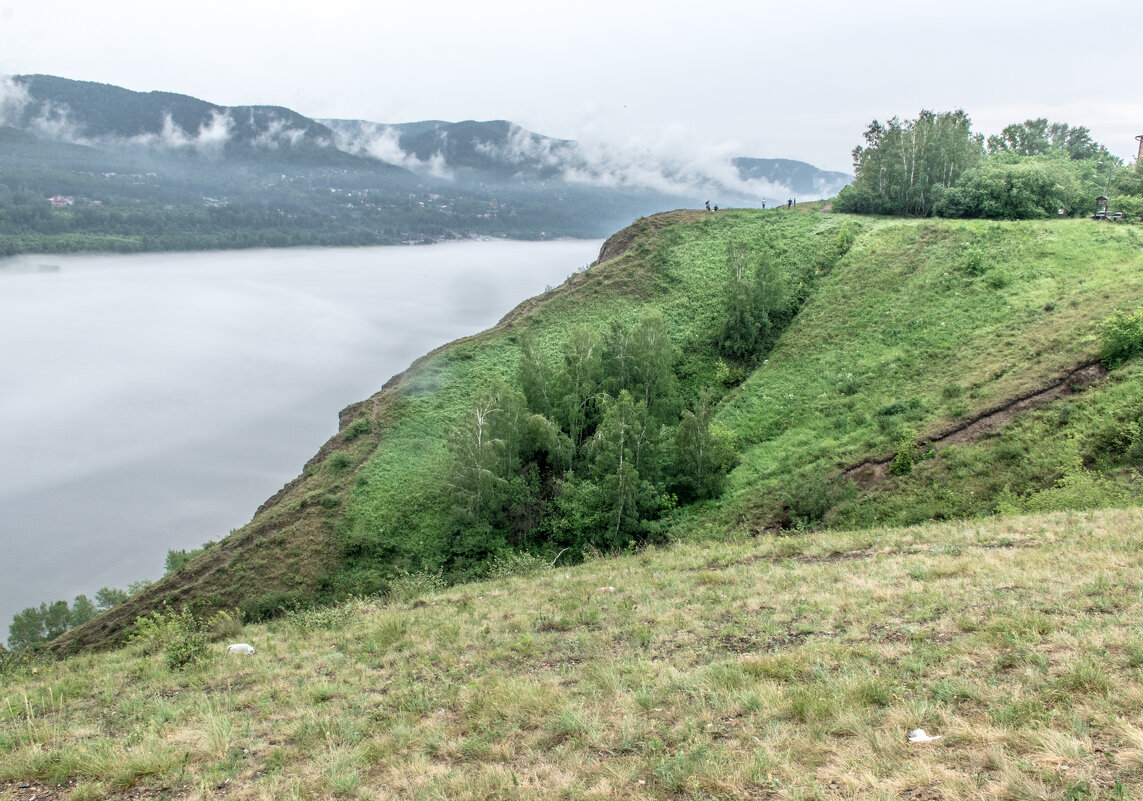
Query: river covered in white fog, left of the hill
{"type": "Point", "coordinates": [151, 403]}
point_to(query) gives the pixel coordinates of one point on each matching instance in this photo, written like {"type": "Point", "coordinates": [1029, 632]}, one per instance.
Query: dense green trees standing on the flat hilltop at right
{"type": "Point", "coordinates": [937, 166]}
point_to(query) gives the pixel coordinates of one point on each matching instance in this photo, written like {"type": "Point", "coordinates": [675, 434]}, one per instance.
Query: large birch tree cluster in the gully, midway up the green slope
{"type": "Point", "coordinates": [590, 452]}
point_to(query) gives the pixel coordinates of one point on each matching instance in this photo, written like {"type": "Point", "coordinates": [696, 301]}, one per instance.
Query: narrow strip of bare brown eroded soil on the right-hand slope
{"type": "Point", "coordinates": [873, 471]}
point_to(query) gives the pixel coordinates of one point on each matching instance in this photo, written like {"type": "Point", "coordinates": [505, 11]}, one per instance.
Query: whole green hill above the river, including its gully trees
{"type": "Point", "coordinates": [718, 375]}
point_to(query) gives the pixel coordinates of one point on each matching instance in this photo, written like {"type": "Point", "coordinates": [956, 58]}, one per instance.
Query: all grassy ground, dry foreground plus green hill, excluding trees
{"type": "Point", "coordinates": [781, 647]}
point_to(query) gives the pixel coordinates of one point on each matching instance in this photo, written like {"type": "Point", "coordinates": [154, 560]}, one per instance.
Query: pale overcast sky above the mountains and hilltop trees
{"type": "Point", "coordinates": [762, 79]}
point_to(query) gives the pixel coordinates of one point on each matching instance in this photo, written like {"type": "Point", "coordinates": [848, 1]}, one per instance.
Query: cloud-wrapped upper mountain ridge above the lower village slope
{"type": "Point", "coordinates": [486, 153]}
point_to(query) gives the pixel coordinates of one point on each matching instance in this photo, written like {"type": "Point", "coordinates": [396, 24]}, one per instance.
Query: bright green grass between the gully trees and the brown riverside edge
{"type": "Point", "coordinates": [398, 512]}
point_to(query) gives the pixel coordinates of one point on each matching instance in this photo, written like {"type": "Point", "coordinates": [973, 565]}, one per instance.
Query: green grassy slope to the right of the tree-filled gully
{"type": "Point", "coordinates": [923, 329]}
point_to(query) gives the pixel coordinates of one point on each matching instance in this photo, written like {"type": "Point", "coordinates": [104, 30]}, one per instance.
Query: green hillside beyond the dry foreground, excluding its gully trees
{"type": "Point", "coordinates": [934, 371]}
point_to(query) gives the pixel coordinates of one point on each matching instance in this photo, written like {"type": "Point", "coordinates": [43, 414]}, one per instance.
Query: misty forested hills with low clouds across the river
{"type": "Point", "coordinates": [132, 171]}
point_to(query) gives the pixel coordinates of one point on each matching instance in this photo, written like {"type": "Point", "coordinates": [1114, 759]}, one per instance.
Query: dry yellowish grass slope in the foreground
{"type": "Point", "coordinates": [772, 668]}
